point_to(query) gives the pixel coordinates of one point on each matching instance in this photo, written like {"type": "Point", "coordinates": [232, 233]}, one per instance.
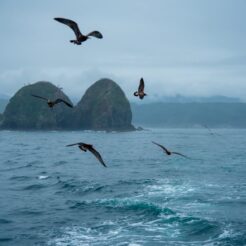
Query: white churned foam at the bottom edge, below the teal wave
{"type": "Point", "coordinates": [116, 233]}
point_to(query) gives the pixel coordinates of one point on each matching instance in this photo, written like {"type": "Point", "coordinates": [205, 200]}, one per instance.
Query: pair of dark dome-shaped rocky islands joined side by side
{"type": "Point", "coordinates": [103, 107]}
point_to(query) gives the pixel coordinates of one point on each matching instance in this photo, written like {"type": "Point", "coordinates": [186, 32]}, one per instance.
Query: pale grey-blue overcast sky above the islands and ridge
{"type": "Point", "coordinates": [187, 47]}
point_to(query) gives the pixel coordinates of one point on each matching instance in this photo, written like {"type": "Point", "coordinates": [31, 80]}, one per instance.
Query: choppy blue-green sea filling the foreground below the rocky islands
{"type": "Point", "coordinates": [56, 195]}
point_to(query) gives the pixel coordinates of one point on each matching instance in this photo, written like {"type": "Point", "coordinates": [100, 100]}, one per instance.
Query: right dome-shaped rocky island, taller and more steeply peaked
{"type": "Point", "coordinates": [104, 107]}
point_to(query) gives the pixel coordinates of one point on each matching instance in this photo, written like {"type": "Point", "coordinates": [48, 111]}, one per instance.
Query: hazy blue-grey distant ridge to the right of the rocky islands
{"type": "Point", "coordinates": [231, 115]}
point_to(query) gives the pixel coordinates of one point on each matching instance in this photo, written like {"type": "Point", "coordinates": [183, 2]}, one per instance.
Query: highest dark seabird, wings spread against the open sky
{"type": "Point", "coordinates": [79, 36]}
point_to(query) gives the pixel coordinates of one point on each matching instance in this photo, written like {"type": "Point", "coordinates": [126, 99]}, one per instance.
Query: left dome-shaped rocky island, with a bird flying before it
{"type": "Point", "coordinates": [27, 112]}
